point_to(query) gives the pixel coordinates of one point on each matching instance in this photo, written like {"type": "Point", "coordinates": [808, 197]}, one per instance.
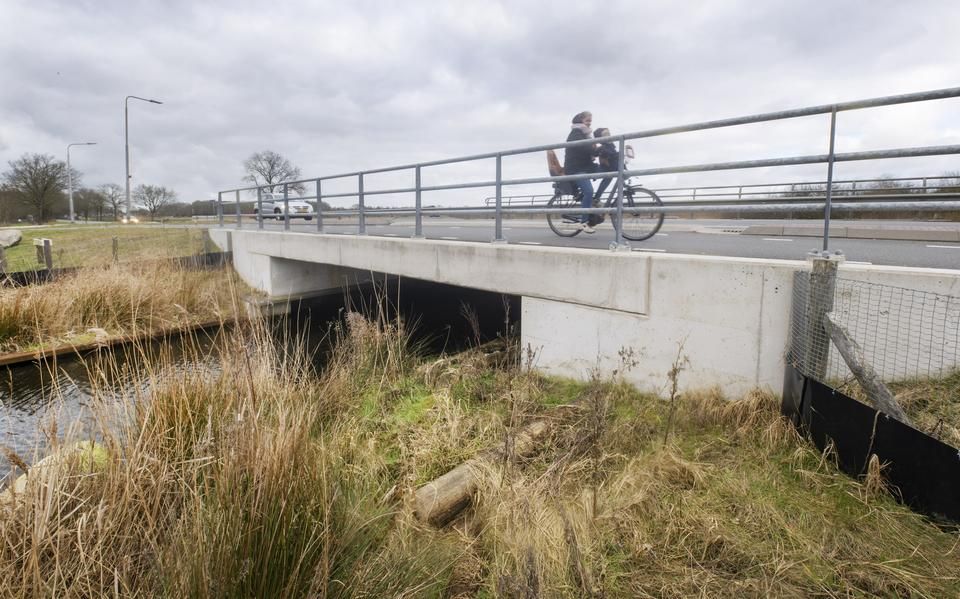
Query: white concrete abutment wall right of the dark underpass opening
{"type": "Point", "coordinates": [731, 315]}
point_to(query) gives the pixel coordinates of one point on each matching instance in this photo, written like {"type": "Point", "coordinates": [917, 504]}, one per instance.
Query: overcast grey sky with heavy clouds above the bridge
{"type": "Point", "coordinates": [338, 87]}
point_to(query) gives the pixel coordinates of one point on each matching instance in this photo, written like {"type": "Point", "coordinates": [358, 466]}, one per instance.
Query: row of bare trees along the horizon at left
{"type": "Point", "coordinates": [35, 188]}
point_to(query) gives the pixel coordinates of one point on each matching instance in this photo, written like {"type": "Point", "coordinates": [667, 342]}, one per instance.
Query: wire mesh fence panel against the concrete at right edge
{"type": "Point", "coordinates": [905, 334]}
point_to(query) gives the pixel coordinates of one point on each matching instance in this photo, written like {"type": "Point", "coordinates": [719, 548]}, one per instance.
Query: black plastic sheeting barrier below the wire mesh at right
{"type": "Point", "coordinates": [924, 471]}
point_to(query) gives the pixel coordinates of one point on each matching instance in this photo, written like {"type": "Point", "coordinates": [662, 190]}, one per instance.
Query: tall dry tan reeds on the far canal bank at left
{"type": "Point", "coordinates": [120, 299]}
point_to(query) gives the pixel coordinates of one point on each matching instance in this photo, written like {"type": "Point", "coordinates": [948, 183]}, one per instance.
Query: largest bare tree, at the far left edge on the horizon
{"type": "Point", "coordinates": [38, 180]}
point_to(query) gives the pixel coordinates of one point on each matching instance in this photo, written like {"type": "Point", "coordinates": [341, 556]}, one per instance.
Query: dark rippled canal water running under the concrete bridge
{"type": "Point", "coordinates": [40, 400]}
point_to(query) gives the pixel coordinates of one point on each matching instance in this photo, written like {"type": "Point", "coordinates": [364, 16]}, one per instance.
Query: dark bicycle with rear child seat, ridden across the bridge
{"type": "Point", "coordinates": [636, 226]}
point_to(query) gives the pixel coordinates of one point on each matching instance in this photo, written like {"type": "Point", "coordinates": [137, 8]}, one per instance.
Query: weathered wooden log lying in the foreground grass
{"type": "Point", "coordinates": [439, 501]}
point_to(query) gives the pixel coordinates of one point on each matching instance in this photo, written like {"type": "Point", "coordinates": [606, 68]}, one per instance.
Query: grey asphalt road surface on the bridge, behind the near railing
{"type": "Point", "coordinates": [698, 237]}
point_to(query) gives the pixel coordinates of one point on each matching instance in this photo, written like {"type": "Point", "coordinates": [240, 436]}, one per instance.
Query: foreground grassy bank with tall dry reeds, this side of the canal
{"type": "Point", "coordinates": [266, 477]}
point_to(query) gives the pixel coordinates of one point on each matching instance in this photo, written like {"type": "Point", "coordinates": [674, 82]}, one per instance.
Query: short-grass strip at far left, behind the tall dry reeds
{"type": "Point", "coordinates": [92, 245]}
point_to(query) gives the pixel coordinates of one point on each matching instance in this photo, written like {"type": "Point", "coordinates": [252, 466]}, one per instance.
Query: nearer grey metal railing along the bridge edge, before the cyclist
{"type": "Point", "coordinates": [824, 203]}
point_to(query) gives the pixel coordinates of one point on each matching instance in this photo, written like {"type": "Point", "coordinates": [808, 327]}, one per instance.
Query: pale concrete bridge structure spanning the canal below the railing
{"type": "Point", "coordinates": [583, 310]}
